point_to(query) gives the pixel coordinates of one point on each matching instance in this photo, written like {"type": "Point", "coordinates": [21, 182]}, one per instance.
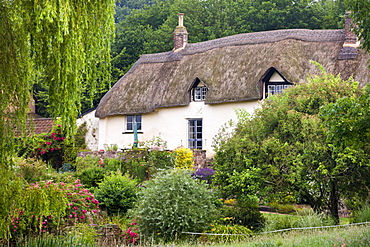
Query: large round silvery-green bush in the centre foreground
{"type": "Point", "coordinates": [172, 203]}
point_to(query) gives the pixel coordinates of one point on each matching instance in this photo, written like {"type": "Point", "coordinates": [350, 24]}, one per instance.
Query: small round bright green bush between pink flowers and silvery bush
{"type": "Point", "coordinates": [116, 194]}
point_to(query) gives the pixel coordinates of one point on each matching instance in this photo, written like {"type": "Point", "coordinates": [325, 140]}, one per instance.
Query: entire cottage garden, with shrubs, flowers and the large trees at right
{"type": "Point", "coordinates": [286, 159]}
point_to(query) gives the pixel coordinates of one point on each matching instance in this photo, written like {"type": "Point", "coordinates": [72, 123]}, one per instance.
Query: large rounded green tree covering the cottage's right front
{"type": "Point", "coordinates": [283, 153]}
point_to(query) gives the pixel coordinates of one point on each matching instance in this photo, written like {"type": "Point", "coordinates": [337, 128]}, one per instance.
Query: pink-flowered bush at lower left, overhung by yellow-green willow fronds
{"type": "Point", "coordinates": [47, 206]}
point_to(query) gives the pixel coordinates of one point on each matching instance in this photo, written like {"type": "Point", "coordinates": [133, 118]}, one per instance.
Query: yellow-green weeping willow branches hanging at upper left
{"type": "Point", "coordinates": [64, 43]}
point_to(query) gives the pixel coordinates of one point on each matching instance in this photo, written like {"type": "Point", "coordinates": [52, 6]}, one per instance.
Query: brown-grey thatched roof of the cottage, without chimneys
{"type": "Point", "coordinates": [231, 67]}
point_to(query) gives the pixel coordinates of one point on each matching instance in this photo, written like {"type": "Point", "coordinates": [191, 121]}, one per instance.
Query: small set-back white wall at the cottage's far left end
{"type": "Point", "coordinates": [92, 124]}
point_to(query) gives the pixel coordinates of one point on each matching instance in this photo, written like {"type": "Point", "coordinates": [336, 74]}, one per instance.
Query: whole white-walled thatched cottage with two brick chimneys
{"type": "Point", "coordinates": [185, 95]}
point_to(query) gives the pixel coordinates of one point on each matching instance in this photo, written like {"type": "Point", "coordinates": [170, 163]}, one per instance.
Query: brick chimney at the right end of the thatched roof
{"type": "Point", "coordinates": [349, 49]}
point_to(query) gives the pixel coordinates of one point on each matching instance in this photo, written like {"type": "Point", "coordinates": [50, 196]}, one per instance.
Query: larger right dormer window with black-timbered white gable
{"type": "Point", "coordinates": [274, 82]}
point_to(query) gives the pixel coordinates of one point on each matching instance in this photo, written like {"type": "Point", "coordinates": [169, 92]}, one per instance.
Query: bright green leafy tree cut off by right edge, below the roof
{"type": "Point", "coordinates": [348, 130]}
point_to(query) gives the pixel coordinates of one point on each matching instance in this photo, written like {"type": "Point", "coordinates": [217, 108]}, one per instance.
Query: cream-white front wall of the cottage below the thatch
{"type": "Point", "coordinates": [171, 124]}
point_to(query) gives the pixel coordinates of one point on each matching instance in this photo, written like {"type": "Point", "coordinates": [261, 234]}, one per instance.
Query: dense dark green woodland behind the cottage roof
{"type": "Point", "coordinates": [146, 26]}
